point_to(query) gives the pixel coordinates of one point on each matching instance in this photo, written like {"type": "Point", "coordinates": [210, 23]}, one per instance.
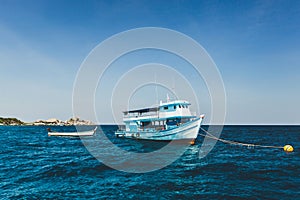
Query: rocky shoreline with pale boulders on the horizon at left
{"type": "Point", "coordinates": [50, 122]}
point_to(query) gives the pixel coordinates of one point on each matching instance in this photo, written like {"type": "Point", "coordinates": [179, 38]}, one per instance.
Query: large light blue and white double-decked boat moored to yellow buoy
{"type": "Point", "coordinates": [171, 120]}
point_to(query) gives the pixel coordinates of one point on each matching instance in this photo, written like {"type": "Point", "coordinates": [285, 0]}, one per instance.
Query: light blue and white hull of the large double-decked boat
{"type": "Point", "coordinates": [188, 130]}
